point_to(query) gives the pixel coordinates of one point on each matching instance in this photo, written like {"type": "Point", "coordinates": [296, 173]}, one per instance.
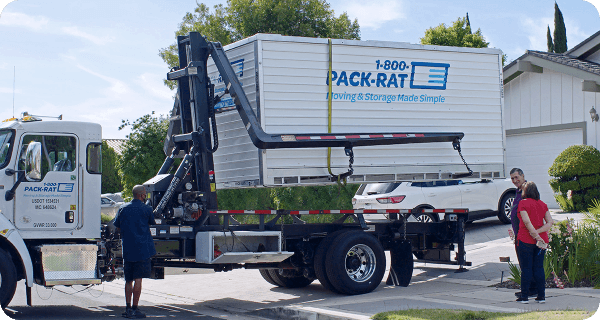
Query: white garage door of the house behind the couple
{"type": "Point", "coordinates": [534, 153]}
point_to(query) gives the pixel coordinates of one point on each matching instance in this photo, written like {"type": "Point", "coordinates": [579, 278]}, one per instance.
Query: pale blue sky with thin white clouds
{"type": "Point", "coordinates": [98, 61]}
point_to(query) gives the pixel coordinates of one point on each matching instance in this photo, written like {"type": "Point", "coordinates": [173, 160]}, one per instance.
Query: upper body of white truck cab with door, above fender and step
{"type": "Point", "coordinates": [55, 158]}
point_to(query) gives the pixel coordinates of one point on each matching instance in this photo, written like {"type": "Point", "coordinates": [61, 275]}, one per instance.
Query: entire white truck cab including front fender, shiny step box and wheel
{"type": "Point", "coordinates": [50, 178]}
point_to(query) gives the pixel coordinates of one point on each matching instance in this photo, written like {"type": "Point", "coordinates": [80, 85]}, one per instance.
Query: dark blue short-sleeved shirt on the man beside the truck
{"type": "Point", "coordinates": [134, 220]}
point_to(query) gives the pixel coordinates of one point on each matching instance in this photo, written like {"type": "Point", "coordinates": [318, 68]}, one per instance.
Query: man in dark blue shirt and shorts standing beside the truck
{"type": "Point", "coordinates": [134, 220]}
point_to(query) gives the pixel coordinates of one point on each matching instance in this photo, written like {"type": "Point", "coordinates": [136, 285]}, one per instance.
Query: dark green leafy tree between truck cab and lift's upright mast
{"type": "Point", "coordinates": [143, 152]}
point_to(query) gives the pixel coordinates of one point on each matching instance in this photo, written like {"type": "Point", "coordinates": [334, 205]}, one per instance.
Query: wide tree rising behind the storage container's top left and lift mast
{"type": "Point", "coordinates": [244, 18]}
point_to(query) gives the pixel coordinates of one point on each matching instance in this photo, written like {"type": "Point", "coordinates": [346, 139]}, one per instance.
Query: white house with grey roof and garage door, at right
{"type": "Point", "coordinates": [551, 102]}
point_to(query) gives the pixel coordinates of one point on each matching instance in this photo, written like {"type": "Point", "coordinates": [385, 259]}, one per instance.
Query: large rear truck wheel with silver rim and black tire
{"type": "Point", "coordinates": [355, 263]}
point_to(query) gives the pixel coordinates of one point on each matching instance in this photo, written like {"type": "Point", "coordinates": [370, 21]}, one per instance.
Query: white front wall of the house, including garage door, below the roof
{"type": "Point", "coordinates": [543, 114]}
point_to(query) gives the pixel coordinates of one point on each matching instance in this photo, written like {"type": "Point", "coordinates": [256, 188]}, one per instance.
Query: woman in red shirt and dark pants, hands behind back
{"type": "Point", "coordinates": [532, 240]}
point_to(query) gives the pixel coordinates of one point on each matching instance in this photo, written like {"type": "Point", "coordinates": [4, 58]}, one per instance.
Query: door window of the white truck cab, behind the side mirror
{"type": "Point", "coordinates": [58, 152]}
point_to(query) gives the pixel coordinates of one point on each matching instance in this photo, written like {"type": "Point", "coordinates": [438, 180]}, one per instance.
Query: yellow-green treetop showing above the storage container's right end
{"type": "Point", "coordinates": [457, 35]}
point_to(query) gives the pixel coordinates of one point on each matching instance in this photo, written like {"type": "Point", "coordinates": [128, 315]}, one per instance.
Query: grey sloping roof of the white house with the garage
{"type": "Point", "coordinates": [572, 62]}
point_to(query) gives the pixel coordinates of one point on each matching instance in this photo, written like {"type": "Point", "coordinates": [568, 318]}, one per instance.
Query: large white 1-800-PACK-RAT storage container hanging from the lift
{"type": "Point", "coordinates": [377, 87]}
